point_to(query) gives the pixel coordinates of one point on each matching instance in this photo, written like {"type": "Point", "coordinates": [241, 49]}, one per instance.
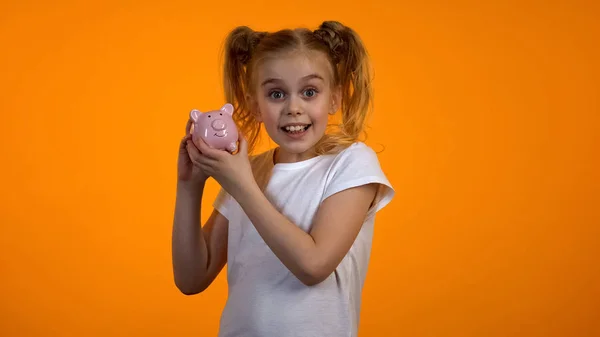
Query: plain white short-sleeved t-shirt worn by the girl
{"type": "Point", "coordinates": [264, 298]}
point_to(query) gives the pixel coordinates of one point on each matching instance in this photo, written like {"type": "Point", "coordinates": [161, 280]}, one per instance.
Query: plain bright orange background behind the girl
{"type": "Point", "coordinates": [489, 115]}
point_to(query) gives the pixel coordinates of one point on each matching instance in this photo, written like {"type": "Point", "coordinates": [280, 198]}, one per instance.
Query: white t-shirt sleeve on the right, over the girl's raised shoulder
{"type": "Point", "coordinates": [359, 165]}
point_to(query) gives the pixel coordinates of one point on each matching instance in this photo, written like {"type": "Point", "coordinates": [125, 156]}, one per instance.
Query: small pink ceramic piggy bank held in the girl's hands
{"type": "Point", "coordinates": [216, 128]}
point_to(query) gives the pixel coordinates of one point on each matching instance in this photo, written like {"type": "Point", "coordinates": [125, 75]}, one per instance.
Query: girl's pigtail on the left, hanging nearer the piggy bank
{"type": "Point", "coordinates": [238, 50]}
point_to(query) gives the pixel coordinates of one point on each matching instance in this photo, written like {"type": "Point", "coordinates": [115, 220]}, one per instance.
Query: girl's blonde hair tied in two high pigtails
{"type": "Point", "coordinates": [245, 48]}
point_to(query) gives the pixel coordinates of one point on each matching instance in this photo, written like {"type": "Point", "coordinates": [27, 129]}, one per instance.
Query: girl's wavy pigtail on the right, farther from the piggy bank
{"type": "Point", "coordinates": [350, 57]}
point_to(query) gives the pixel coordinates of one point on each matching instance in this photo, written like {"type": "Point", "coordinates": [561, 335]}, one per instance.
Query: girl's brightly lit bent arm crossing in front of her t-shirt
{"type": "Point", "coordinates": [312, 256]}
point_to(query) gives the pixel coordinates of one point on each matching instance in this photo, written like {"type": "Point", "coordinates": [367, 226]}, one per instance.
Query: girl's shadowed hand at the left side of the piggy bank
{"type": "Point", "coordinates": [187, 171]}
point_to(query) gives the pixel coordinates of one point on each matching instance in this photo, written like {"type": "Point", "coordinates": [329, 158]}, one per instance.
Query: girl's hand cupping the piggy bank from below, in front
{"type": "Point", "coordinates": [232, 171]}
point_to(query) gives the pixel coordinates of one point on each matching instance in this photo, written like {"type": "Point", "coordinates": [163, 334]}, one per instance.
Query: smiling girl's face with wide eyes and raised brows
{"type": "Point", "coordinates": [293, 99]}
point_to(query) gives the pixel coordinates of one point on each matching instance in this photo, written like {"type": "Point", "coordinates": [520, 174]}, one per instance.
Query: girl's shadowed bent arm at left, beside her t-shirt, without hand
{"type": "Point", "coordinates": [199, 253]}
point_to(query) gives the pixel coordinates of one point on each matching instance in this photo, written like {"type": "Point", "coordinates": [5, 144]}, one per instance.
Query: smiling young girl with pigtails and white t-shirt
{"type": "Point", "coordinates": [294, 224]}
